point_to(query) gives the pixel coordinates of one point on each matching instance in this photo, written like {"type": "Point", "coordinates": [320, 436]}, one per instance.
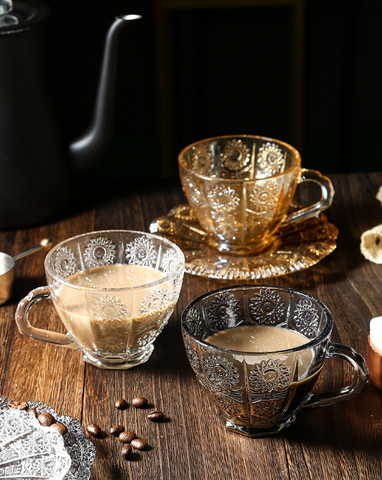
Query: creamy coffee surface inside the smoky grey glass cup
{"type": "Point", "coordinates": [266, 339]}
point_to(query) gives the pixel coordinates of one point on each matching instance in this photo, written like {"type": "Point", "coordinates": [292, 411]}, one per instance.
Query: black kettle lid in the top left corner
{"type": "Point", "coordinates": [20, 15]}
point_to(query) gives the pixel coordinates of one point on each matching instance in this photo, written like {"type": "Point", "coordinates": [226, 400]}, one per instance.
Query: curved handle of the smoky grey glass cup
{"type": "Point", "coordinates": [361, 377]}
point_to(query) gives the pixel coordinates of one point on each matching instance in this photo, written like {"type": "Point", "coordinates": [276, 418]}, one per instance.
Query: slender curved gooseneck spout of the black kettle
{"type": "Point", "coordinates": [92, 145]}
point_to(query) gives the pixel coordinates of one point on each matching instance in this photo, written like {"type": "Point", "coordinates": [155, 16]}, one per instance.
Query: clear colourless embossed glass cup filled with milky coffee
{"type": "Point", "coordinates": [114, 291]}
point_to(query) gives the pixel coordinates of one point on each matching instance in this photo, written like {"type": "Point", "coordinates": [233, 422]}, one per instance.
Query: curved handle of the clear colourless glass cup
{"type": "Point", "coordinates": [21, 317]}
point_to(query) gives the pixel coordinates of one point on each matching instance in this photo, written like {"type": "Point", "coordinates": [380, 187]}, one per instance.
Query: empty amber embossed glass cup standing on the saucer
{"type": "Point", "coordinates": [240, 189]}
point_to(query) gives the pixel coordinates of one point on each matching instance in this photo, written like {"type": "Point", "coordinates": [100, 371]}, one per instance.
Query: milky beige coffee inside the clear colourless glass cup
{"type": "Point", "coordinates": [104, 312]}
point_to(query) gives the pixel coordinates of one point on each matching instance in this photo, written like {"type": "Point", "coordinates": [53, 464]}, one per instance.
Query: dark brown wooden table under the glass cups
{"type": "Point", "coordinates": [343, 441]}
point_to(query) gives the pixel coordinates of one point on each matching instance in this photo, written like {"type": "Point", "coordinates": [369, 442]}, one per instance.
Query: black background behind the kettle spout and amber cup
{"type": "Point", "coordinates": [231, 71]}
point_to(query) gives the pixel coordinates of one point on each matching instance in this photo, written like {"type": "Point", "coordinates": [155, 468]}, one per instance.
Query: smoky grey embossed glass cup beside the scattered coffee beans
{"type": "Point", "coordinates": [259, 394]}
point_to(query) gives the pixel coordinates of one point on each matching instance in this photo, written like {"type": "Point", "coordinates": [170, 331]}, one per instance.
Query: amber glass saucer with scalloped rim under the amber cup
{"type": "Point", "coordinates": [293, 249]}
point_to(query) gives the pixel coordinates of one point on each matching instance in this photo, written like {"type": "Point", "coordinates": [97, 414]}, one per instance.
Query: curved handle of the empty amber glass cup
{"type": "Point", "coordinates": [327, 194]}
